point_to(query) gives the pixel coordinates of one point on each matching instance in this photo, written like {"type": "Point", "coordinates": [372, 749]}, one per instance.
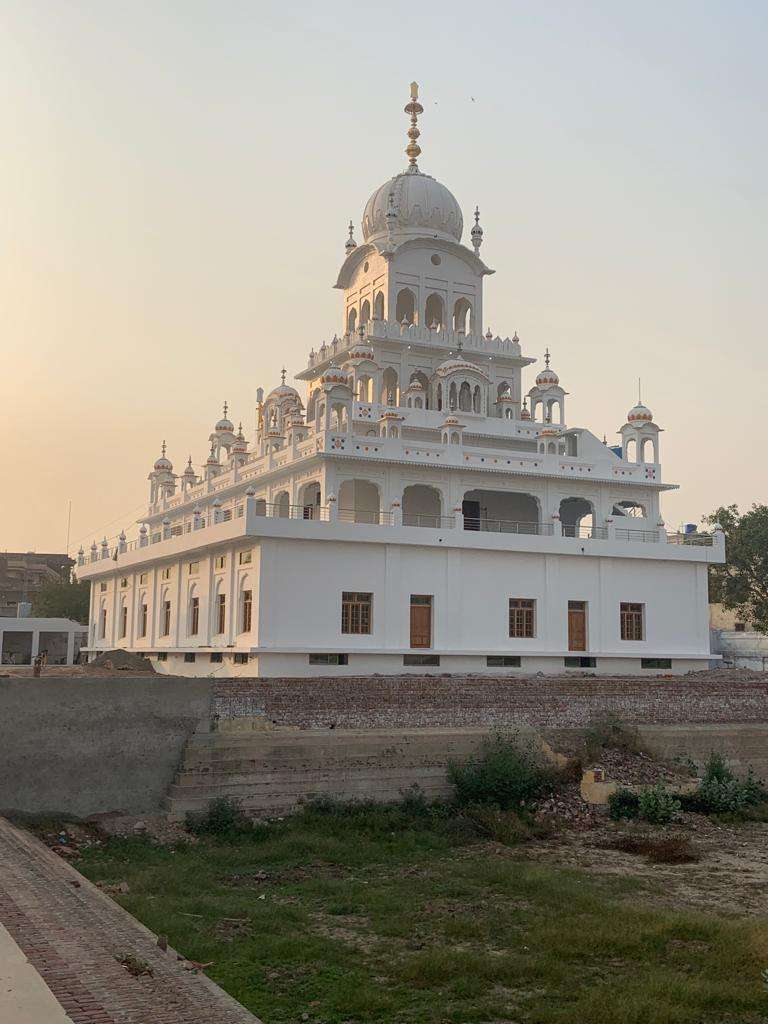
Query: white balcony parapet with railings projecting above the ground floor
{"type": "Point", "coordinates": [253, 518]}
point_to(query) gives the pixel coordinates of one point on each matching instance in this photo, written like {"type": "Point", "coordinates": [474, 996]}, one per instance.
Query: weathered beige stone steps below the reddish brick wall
{"type": "Point", "coordinates": [273, 772]}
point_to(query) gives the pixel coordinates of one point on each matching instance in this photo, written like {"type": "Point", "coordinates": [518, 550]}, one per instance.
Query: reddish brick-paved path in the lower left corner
{"type": "Point", "coordinates": [71, 933]}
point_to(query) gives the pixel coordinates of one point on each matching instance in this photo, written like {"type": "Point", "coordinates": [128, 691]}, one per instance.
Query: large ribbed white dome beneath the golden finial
{"type": "Point", "coordinates": [423, 207]}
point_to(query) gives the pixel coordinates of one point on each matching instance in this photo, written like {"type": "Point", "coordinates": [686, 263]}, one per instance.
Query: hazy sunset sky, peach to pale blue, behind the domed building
{"type": "Point", "coordinates": [177, 179]}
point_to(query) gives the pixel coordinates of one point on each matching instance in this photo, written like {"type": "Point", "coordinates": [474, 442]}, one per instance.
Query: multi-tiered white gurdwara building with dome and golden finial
{"type": "Point", "coordinates": [418, 510]}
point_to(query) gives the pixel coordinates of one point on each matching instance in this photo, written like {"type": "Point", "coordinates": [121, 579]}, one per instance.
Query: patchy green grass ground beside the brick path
{"type": "Point", "coordinates": [401, 917]}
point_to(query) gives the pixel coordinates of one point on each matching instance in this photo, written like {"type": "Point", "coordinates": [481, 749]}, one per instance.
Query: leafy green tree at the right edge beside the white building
{"type": "Point", "coordinates": [742, 584]}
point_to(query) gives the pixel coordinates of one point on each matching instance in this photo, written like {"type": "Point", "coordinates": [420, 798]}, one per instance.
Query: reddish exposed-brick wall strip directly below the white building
{"type": "Point", "coordinates": [540, 702]}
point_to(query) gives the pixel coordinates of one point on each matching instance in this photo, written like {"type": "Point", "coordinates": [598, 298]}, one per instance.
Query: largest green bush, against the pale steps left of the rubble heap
{"type": "Point", "coordinates": [505, 774]}
